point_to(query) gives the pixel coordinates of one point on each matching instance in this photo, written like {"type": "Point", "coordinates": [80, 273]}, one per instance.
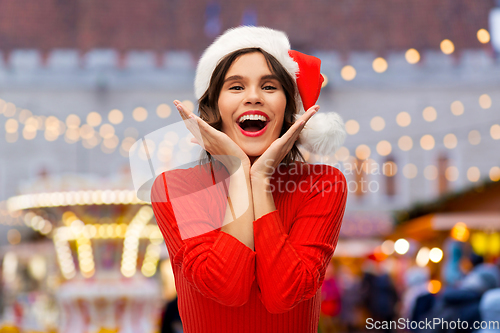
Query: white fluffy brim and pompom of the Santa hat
{"type": "Point", "coordinates": [324, 133]}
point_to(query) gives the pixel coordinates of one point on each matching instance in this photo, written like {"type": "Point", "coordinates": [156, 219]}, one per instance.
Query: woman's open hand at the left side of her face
{"type": "Point", "coordinates": [217, 143]}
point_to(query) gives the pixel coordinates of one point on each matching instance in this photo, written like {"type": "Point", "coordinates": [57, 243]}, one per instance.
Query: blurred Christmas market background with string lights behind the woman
{"type": "Point", "coordinates": [417, 83]}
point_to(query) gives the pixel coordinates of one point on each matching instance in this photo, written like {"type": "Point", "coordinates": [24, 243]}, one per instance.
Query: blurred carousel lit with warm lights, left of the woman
{"type": "Point", "coordinates": [107, 247]}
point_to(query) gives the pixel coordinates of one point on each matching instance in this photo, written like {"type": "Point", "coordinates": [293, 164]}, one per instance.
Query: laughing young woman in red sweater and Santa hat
{"type": "Point", "coordinates": [250, 242]}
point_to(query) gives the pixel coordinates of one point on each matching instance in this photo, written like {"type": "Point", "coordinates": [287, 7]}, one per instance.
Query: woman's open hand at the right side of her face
{"type": "Point", "coordinates": [265, 165]}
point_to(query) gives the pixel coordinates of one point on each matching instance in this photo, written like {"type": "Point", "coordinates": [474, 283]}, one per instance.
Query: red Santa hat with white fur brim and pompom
{"type": "Point", "coordinates": [324, 133]}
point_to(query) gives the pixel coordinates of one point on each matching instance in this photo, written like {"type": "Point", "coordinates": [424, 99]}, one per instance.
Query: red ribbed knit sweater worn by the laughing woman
{"type": "Point", "coordinates": [224, 286]}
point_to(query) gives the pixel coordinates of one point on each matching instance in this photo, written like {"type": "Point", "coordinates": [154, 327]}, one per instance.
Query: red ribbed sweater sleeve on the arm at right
{"type": "Point", "coordinates": [291, 268]}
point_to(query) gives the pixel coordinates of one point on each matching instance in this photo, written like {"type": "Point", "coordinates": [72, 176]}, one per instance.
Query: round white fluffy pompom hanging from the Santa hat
{"type": "Point", "coordinates": [323, 134]}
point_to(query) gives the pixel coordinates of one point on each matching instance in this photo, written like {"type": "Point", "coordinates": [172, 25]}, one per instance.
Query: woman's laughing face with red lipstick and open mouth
{"type": "Point", "coordinates": [252, 104]}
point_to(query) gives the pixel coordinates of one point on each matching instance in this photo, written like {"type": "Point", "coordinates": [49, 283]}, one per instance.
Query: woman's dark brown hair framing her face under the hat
{"type": "Point", "coordinates": [208, 103]}
